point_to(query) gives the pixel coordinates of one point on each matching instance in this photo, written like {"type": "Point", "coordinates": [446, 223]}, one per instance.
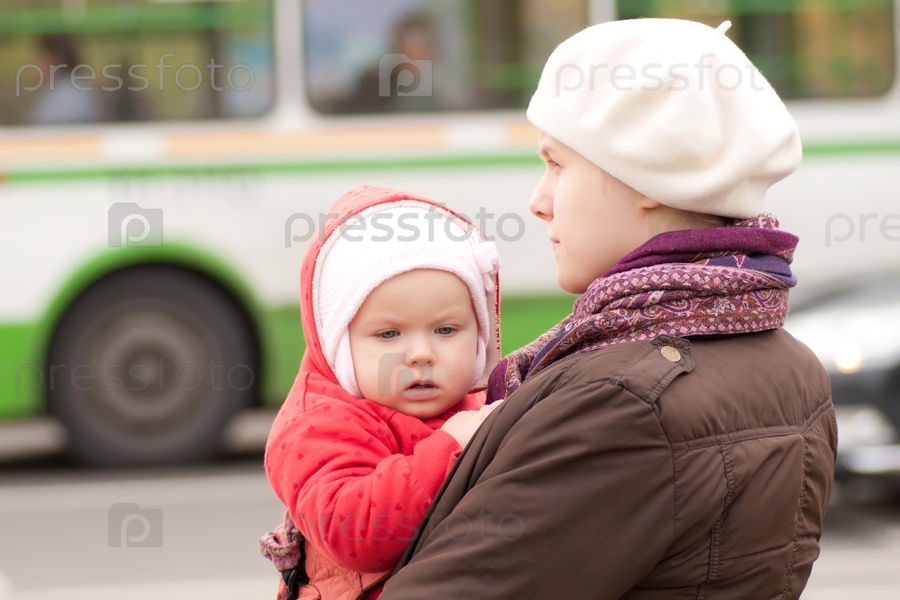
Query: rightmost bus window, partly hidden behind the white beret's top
{"type": "Point", "coordinates": [805, 48]}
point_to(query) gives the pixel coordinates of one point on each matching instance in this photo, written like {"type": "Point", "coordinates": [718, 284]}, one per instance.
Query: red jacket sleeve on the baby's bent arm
{"type": "Point", "coordinates": [349, 491]}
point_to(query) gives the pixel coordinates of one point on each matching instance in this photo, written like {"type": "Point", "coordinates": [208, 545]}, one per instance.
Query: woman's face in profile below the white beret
{"type": "Point", "coordinates": [593, 219]}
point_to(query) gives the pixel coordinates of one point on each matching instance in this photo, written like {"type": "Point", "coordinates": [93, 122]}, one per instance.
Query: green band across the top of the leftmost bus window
{"type": "Point", "coordinates": [129, 19]}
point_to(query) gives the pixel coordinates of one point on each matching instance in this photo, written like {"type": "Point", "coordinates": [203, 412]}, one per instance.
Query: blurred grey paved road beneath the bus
{"type": "Point", "coordinates": [55, 540]}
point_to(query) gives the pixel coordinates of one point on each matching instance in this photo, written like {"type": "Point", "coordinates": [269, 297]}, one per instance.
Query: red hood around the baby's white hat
{"type": "Point", "coordinates": [352, 202]}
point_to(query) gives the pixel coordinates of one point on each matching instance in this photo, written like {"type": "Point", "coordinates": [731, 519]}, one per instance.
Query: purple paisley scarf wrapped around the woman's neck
{"type": "Point", "coordinates": [720, 280]}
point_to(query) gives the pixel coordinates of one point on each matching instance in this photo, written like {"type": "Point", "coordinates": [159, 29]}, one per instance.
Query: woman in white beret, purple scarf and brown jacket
{"type": "Point", "coordinates": [668, 439]}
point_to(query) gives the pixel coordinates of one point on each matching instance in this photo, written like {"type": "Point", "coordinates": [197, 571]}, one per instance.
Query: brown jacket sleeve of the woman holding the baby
{"type": "Point", "coordinates": [574, 498]}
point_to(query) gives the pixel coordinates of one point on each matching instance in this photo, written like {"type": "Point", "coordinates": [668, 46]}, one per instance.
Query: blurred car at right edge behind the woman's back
{"type": "Point", "coordinates": [854, 329]}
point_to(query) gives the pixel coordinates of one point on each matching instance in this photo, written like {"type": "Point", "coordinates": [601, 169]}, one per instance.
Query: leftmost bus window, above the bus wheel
{"type": "Point", "coordinates": [80, 61]}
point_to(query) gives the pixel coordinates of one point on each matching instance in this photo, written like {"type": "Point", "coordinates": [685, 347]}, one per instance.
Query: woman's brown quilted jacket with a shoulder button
{"type": "Point", "coordinates": [639, 472]}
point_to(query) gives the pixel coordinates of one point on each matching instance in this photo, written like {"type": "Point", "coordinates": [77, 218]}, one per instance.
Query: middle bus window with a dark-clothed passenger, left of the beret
{"type": "Point", "coordinates": [425, 55]}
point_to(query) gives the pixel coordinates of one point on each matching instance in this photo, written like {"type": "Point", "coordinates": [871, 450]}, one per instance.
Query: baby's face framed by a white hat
{"type": "Point", "coordinates": [414, 343]}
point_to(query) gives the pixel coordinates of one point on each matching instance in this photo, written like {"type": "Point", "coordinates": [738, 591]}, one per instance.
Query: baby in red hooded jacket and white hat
{"type": "Point", "coordinates": [400, 309]}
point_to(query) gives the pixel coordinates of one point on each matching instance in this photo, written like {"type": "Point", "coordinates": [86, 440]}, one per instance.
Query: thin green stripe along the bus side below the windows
{"type": "Point", "coordinates": [324, 166]}
